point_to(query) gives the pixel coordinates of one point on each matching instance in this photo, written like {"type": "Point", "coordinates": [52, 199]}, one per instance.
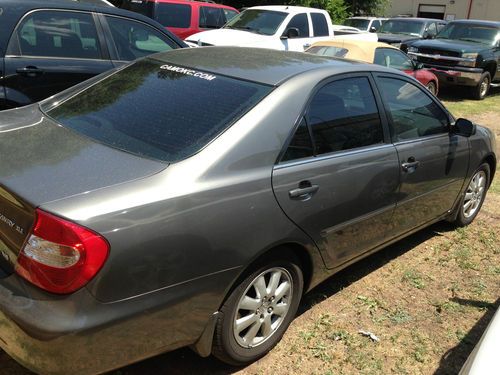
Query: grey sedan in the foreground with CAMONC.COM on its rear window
{"type": "Point", "coordinates": [137, 221]}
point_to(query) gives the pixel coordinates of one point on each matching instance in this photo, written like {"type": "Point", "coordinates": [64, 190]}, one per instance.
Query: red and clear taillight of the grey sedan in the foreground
{"type": "Point", "coordinates": [61, 256]}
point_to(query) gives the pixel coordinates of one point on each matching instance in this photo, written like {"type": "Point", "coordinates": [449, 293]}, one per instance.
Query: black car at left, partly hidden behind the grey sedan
{"type": "Point", "coordinates": [48, 46]}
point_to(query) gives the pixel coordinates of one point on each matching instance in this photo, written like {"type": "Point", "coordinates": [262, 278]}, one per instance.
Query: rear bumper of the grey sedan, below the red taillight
{"type": "Point", "coordinates": [76, 334]}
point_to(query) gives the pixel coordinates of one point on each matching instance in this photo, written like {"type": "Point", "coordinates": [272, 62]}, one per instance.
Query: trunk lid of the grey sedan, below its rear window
{"type": "Point", "coordinates": [41, 161]}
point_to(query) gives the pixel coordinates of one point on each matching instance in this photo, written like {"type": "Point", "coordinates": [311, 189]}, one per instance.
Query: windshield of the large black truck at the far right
{"type": "Point", "coordinates": [470, 33]}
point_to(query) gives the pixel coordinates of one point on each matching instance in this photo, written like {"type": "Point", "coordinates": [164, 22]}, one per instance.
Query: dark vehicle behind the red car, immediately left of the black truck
{"type": "Point", "coordinates": [396, 31]}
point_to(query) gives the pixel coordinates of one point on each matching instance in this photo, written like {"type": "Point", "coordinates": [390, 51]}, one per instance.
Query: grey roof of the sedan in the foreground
{"type": "Point", "coordinates": [260, 65]}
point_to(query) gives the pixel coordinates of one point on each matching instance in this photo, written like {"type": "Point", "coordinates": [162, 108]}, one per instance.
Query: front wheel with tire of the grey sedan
{"type": "Point", "coordinates": [474, 196]}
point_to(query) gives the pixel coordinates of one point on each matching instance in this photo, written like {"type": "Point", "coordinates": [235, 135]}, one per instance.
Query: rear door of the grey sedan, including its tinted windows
{"type": "Point", "coordinates": [337, 179]}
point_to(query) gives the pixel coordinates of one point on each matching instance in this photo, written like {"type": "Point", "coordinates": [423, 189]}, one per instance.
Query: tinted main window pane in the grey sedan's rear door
{"type": "Point", "coordinates": [343, 115]}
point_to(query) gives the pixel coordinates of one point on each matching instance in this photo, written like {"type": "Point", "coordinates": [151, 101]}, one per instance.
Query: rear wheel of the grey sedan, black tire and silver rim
{"type": "Point", "coordinates": [258, 311]}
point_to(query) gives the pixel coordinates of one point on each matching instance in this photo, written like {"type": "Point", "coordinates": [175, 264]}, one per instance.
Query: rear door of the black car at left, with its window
{"type": "Point", "coordinates": [51, 50]}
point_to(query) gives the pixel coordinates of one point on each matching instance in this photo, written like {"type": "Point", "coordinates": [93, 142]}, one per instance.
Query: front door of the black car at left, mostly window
{"type": "Point", "coordinates": [130, 39]}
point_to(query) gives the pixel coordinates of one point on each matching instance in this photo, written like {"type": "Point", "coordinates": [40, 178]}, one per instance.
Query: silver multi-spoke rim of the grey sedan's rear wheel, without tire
{"type": "Point", "coordinates": [263, 307]}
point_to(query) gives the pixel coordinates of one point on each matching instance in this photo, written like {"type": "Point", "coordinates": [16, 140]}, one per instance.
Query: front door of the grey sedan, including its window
{"type": "Point", "coordinates": [433, 161]}
